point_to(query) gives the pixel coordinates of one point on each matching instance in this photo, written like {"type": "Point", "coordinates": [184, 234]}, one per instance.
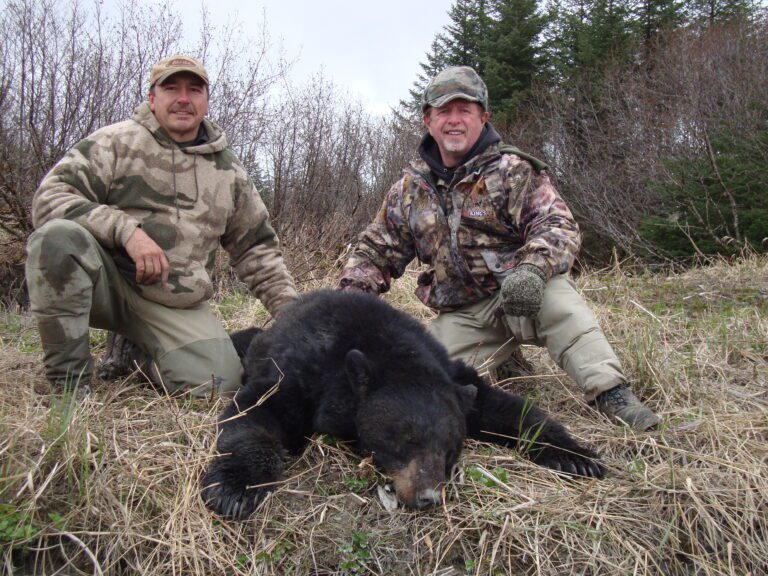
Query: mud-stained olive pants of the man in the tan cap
{"type": "Point", "coordinates": [73, 284]}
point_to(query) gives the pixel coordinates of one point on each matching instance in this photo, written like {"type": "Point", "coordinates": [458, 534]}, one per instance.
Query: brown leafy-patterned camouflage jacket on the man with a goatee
{"type": "Point", "coordinates": [496, 213]}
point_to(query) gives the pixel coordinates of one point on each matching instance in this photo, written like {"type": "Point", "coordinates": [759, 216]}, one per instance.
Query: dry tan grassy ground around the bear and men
{"type": "Point", "coordinates": [111, 485]}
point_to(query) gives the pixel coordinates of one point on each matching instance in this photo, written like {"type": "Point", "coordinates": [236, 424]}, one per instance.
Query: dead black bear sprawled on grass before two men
{"type": "Point", "coordinates": [350, 365]}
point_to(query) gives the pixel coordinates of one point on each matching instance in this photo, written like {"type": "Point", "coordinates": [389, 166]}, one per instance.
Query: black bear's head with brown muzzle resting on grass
{"type": "Point", "coordinates": [412, 419]}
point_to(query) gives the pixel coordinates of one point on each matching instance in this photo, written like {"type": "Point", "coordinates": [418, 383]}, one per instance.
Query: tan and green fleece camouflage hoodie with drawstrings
{"type": "Point", "coordinates": [188, 200]}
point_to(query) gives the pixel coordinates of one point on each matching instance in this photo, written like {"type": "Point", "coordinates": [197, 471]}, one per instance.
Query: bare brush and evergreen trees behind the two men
{"type": "Point", "coordinates": [653, 116]}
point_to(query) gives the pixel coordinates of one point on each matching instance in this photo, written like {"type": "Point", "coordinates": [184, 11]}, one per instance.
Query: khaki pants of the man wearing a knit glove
{"type": "Point", "coordinates": [481, 334]}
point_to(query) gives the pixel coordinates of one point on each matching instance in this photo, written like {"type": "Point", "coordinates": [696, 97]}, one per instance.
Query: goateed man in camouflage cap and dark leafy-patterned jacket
{"type": "Point", "coordinates": [499, 242]}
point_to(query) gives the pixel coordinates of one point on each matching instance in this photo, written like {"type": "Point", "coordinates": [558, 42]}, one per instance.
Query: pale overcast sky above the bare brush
{"type": "Point", "coordinates": [372, 49]}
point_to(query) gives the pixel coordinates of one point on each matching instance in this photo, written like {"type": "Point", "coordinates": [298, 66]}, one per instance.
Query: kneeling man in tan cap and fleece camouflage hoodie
{"type": "Point", "coordinates": [127, 228]}
